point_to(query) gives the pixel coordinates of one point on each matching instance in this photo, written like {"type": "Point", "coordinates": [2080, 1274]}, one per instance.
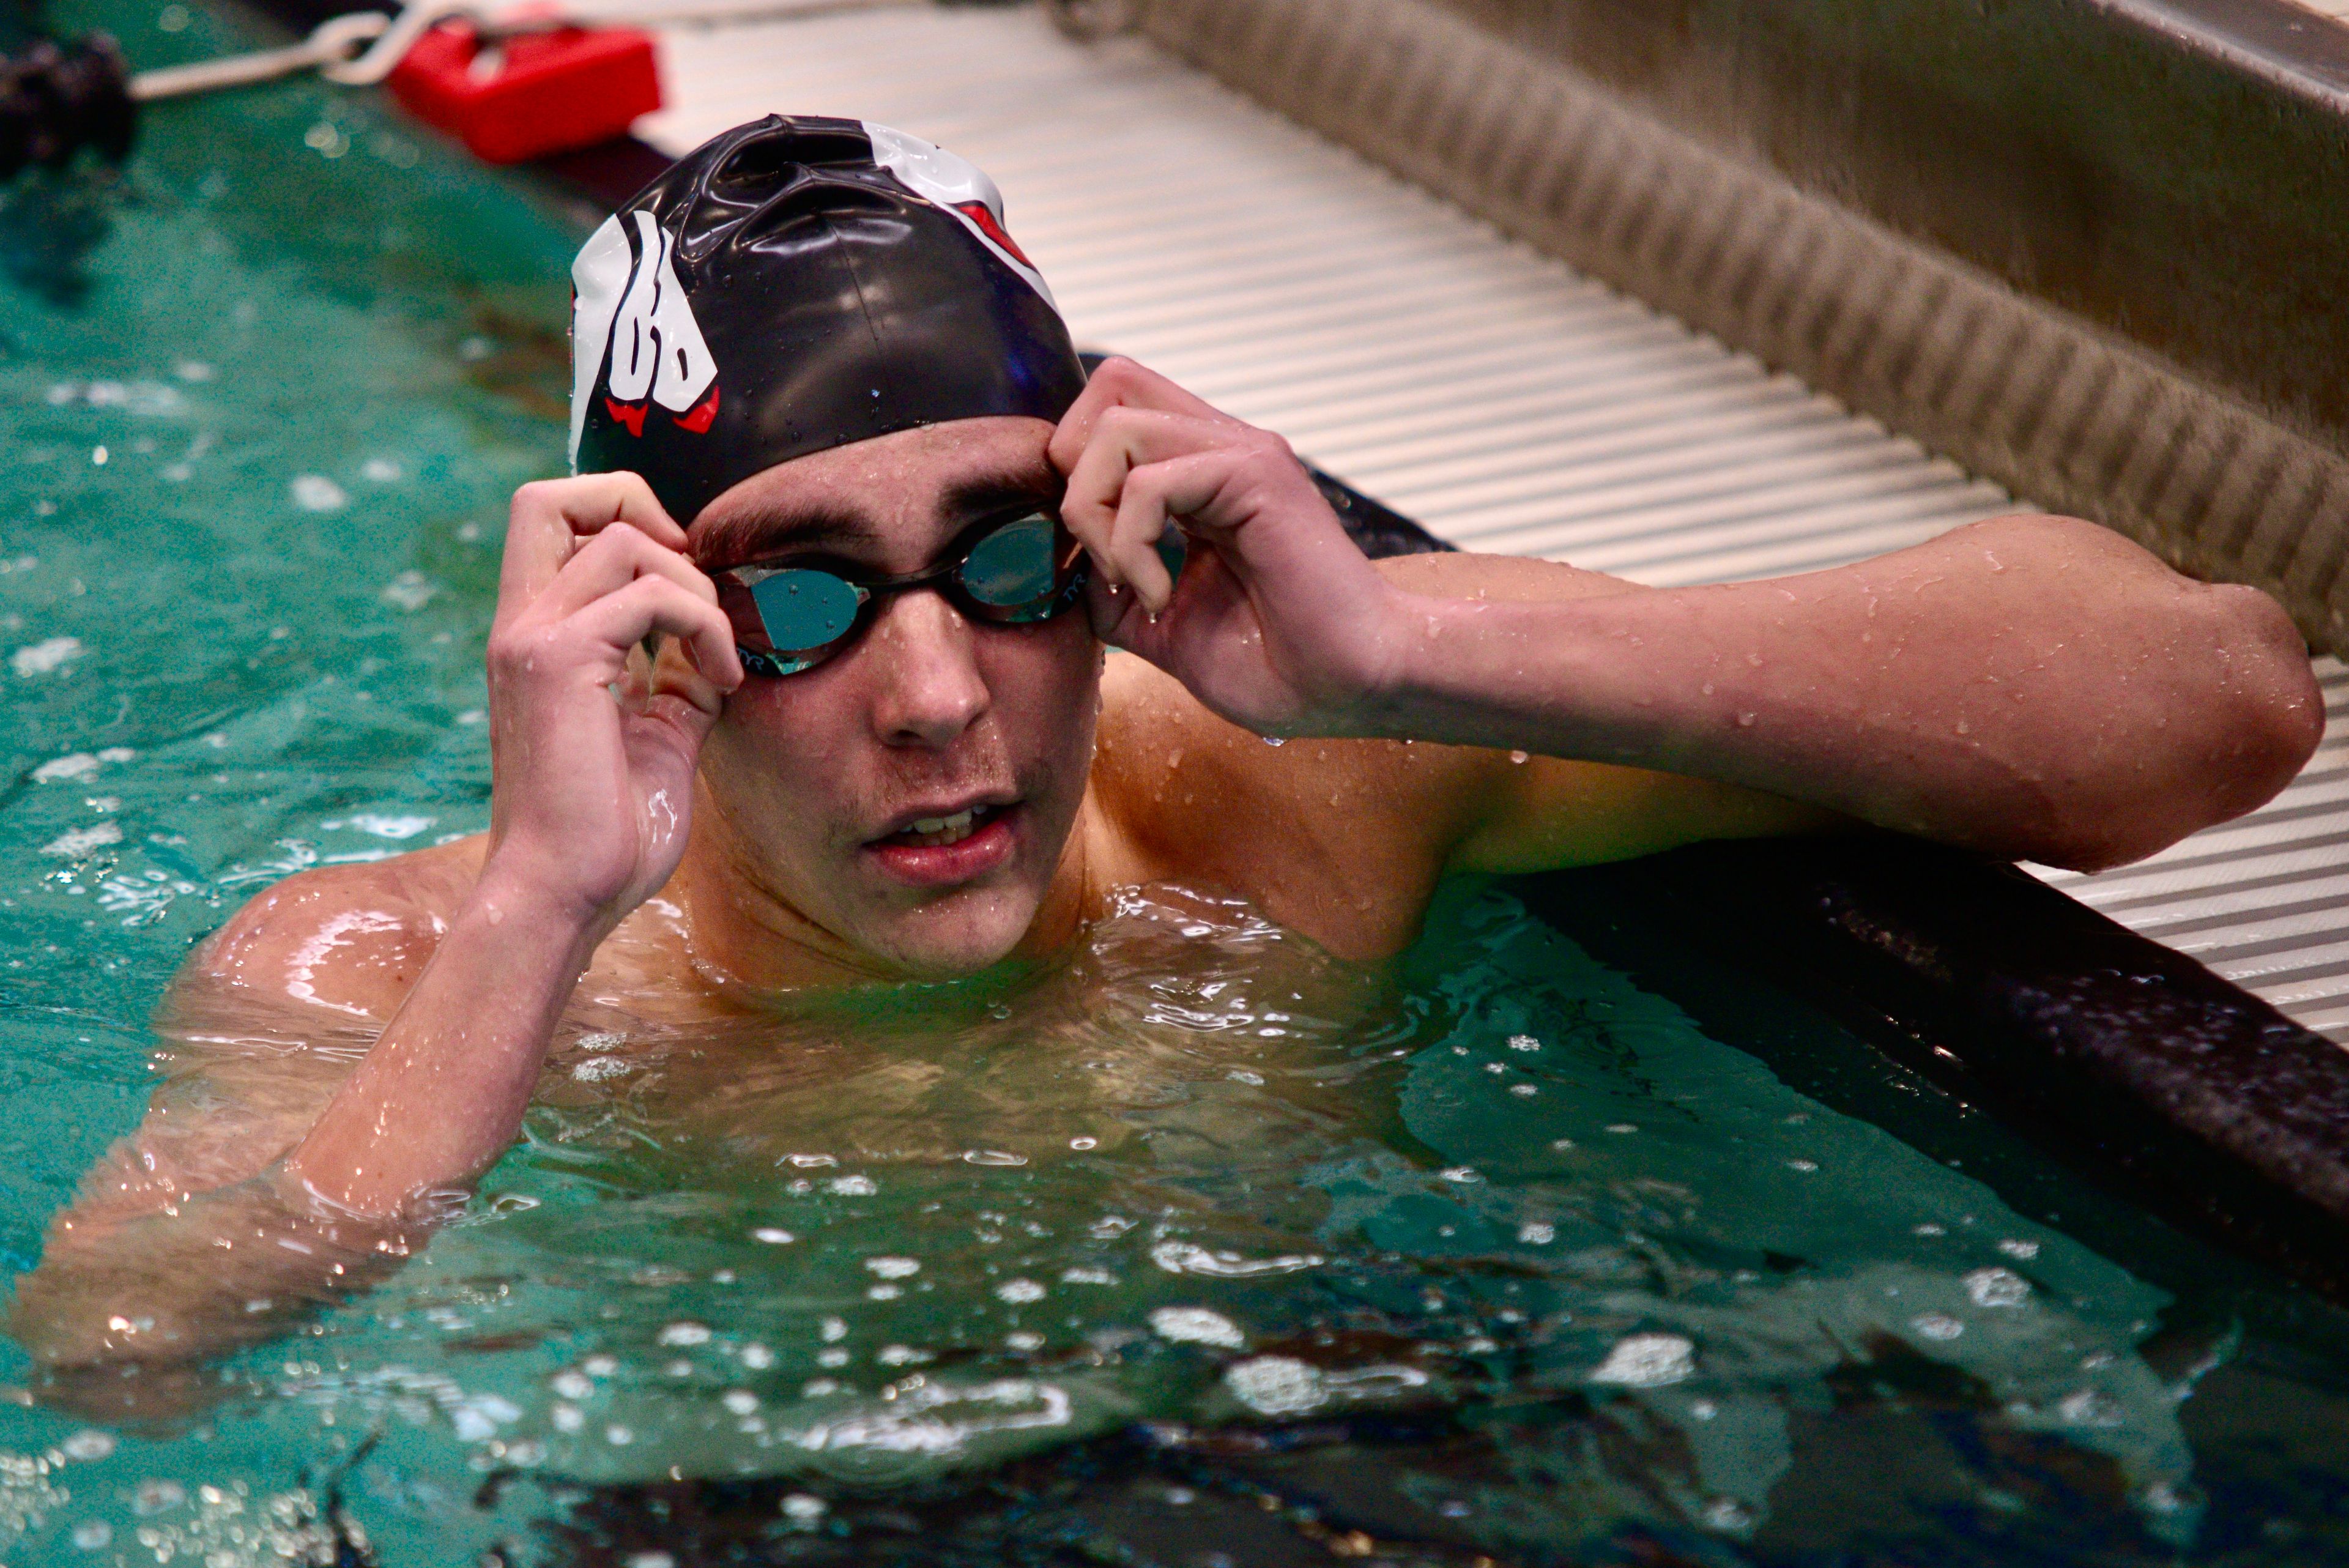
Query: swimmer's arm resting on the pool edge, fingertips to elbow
{"type": "Point", "coordinates": [2033, 688]}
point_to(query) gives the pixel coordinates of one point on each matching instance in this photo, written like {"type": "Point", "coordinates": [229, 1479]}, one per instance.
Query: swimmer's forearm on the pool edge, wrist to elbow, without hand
{"type": "Point", "coordinates": [2028, 688]}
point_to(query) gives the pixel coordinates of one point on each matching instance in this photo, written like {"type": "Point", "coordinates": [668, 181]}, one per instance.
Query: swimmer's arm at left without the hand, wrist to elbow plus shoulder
{"type": "Point", "coordinates": [292, 1191]}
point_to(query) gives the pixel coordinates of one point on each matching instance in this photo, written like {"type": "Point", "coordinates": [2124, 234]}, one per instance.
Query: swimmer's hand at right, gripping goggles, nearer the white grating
{"type": "Point", "coordinates": [1279, 622]}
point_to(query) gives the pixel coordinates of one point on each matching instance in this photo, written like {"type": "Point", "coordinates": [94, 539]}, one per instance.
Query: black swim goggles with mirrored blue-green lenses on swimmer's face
{"type": "Point", "coordinates": [1007, 570]}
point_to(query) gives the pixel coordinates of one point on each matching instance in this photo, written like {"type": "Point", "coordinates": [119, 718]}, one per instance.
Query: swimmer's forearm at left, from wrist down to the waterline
{"type": "Point", "coordinates": [440, 1094]}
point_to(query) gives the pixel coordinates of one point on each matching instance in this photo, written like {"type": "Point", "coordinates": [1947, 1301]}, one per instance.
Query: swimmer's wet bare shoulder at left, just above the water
{"type": "Point", "coordinates": [342, 937]}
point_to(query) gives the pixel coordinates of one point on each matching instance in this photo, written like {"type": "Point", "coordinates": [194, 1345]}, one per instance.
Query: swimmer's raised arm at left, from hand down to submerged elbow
{"type": "Point", "coordinates": [595, 758]}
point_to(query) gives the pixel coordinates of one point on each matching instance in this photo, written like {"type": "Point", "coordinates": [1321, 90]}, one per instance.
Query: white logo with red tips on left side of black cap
{"type": "Point", "coordinates": [633, 314]}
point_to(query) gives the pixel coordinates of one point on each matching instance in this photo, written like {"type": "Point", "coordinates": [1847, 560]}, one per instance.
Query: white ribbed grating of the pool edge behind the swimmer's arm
{"type": "Point", "coordinates": [1465, 380]}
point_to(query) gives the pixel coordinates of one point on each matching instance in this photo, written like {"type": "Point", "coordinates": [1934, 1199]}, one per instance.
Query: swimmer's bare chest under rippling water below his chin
{"type": "Point", "coordinates": [1173, 1019]}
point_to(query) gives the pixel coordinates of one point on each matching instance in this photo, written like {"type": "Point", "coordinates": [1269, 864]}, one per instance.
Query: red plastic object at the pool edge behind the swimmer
{"type": "Point", "coordinates": [537, 93]}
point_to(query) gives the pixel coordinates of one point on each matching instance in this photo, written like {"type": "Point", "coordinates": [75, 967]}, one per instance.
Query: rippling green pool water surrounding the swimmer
{"type": "Point", "coordinates": [1199, 1249]}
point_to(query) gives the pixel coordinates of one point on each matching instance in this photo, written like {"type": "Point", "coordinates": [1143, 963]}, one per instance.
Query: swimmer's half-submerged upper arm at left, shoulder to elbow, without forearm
{"type": "Point", "coordinates": [187, 1240]}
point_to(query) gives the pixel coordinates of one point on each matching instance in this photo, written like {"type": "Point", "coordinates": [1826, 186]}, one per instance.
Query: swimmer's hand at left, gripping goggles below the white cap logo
{"type": "Point", "coordinates": [593, 751]}
